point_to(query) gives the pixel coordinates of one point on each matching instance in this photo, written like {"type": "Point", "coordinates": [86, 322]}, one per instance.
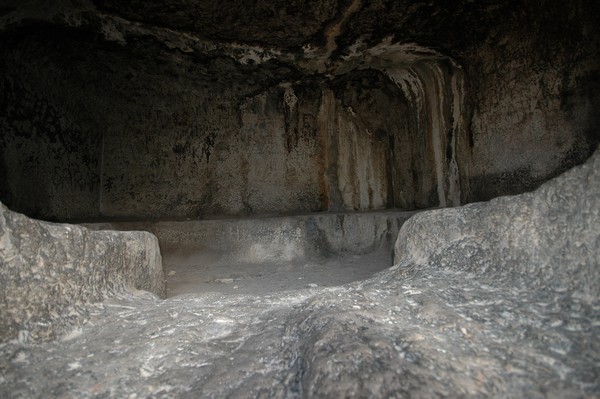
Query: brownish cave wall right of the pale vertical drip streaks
{"type": "Point", "coordinates": [532, 90]}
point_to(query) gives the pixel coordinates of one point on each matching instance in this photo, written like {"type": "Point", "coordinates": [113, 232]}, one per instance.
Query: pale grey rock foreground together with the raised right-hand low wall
{"type": "Point", "coordinates": [490, 300]}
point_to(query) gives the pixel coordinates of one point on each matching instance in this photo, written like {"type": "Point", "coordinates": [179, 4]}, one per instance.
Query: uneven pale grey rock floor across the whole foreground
{"type": "Point", "coordinates": [401, 333]}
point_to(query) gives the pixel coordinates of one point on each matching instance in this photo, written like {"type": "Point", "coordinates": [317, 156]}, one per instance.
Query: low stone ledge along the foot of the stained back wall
{"type": "Point", "coordinates": [285, 239]}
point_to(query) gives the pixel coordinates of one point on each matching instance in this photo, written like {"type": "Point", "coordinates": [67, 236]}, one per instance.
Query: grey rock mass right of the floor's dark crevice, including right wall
{"type": "Point", "coordinates": [490, 299]}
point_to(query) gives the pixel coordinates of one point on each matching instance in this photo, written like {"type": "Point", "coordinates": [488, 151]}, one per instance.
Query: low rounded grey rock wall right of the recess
{"type": "Point", "coordinates": [546, 239]}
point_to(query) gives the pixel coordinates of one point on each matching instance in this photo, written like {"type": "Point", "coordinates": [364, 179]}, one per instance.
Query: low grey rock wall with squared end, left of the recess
{"type": "Point", "coordinates": [50, 273]}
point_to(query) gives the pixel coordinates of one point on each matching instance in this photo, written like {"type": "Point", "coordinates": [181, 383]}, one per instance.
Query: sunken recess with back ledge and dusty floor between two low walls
{"type": "Point", "coordinates": [265, 255]}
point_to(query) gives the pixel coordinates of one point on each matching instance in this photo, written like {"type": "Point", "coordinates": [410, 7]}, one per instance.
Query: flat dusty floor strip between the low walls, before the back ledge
{"type": "Point", "coordinates": [188, 275]}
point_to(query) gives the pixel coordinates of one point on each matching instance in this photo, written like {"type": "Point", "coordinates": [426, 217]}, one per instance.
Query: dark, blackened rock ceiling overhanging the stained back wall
{"type": "Point", "coordinates": [323, 37]}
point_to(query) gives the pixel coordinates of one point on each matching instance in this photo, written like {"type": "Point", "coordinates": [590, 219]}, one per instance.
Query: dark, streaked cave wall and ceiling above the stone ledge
{"type": "Point", "coordinates": [354, 105]}
